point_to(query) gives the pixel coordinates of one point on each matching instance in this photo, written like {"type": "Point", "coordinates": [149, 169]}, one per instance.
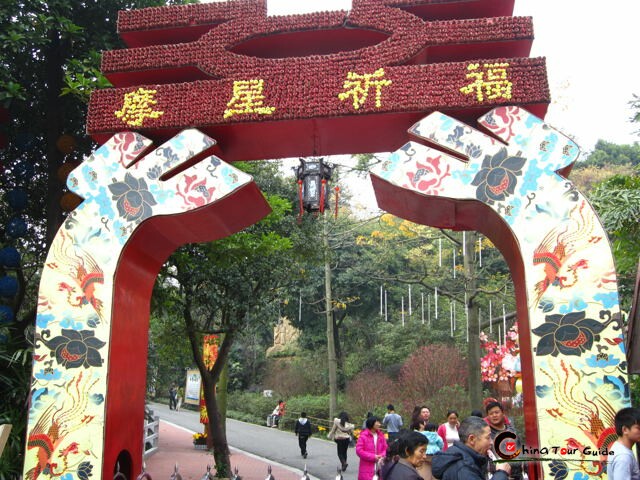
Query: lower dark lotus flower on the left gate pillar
{"type": "Point", "coordinates": [74, 349]}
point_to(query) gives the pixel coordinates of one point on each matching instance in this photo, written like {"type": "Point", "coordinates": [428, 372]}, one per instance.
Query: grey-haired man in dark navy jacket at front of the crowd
{"type": "Point", "coordinates": [467, 459]}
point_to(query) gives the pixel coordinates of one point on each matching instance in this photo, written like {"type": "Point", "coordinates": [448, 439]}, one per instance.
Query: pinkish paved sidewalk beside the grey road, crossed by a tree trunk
{"type": "Point", "coordinates": [176, 448]}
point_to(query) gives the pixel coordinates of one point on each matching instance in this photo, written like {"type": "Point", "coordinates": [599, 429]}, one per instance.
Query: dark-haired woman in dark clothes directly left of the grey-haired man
{"type": "Point", "coordinates": [404, 456]}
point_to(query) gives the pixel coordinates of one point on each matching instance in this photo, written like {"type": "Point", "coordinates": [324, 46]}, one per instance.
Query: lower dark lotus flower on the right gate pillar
{"type": "Point", "coordinates": [570, 334]}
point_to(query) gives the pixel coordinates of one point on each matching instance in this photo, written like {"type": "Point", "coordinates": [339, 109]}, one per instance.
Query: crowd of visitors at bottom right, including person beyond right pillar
{"type": "Point", "coordinates": [455, 449]}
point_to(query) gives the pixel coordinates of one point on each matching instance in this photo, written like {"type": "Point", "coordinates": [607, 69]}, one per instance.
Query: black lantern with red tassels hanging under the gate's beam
{"type": "Point", "coordinates": [313, 180]}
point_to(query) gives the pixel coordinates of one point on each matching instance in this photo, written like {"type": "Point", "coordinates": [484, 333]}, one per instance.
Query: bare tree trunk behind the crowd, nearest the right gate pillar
{"type": "Point", "coordinates": [473, 346]}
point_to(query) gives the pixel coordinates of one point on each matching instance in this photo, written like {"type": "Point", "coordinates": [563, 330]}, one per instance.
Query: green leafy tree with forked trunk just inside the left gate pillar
{"type": "Point", "coordinates": [221, 287]}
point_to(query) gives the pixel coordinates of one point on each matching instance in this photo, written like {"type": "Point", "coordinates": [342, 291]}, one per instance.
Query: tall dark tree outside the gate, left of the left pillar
{"type": "Point", "coordinates": [49, 63]}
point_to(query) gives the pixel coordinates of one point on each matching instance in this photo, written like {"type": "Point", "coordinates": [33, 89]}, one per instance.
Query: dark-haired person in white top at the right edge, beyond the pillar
{"type": "Point", "coordinates": [622, 463]}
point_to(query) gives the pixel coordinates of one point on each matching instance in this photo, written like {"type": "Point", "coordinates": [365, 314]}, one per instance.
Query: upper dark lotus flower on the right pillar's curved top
{"type": "Point", "coordinates": [496, 179]}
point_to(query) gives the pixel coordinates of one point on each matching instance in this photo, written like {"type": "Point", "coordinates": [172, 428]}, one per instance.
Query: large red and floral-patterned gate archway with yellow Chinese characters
{"type": "Point", "coordinates": [141, 203]}
